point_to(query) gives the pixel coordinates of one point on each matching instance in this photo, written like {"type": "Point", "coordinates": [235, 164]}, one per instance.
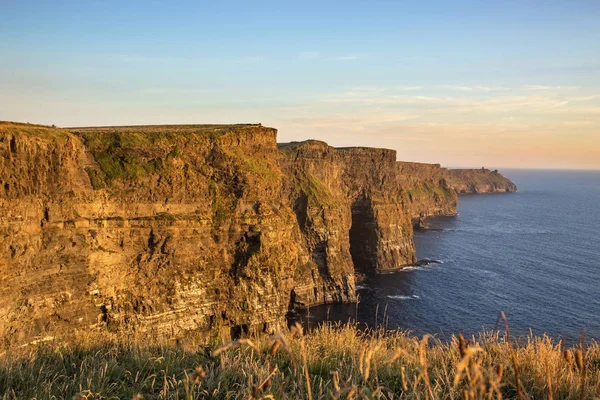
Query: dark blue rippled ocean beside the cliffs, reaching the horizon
{"type": "Point", "coordinates": [534, 254]}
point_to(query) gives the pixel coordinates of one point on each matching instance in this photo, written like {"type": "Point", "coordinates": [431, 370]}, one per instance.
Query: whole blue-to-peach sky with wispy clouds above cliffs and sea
{"type": "Point", "coordinates": [462, 83]}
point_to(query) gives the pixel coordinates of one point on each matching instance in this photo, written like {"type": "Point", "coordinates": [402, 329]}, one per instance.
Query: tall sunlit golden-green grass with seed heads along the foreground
{"type": "Point", "coordinates": [336, 361]}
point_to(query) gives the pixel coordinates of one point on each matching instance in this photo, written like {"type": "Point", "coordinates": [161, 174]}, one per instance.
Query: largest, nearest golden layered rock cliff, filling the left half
{"type": "Point", "coordinates": [177, 231]}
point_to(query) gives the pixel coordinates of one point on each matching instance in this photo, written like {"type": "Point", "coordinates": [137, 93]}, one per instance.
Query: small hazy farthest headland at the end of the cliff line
{"type": "Point", "coordinates": [479, 181]}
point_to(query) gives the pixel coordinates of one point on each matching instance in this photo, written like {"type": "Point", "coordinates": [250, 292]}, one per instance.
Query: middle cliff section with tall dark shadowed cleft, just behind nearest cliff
{"type": "Point", "coordinates": [350, 212]}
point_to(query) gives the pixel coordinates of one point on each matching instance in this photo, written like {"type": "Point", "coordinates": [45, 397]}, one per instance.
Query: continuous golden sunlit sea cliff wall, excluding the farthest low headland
{"type": "Point", "coordinates": [203, 229]}
